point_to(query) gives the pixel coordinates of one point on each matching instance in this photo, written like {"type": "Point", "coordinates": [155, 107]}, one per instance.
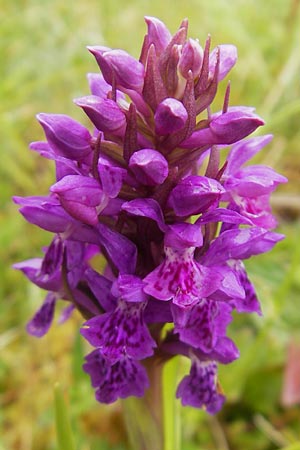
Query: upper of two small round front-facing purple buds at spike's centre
{"type": "Point", "coordinates": [170, 116]}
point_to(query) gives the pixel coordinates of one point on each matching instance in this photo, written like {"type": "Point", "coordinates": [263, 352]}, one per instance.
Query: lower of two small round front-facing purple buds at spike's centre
{"type": "Point", "coordinates": [149, 167]}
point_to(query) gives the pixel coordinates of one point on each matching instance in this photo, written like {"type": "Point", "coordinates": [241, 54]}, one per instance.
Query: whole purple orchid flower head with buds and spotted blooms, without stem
{"type": "Point", "coordinates": [152, 214]}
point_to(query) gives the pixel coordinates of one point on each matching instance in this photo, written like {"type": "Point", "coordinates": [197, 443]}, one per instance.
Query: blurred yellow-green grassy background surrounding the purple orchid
{"type": "Point", "coordinates": [43, 62]}
